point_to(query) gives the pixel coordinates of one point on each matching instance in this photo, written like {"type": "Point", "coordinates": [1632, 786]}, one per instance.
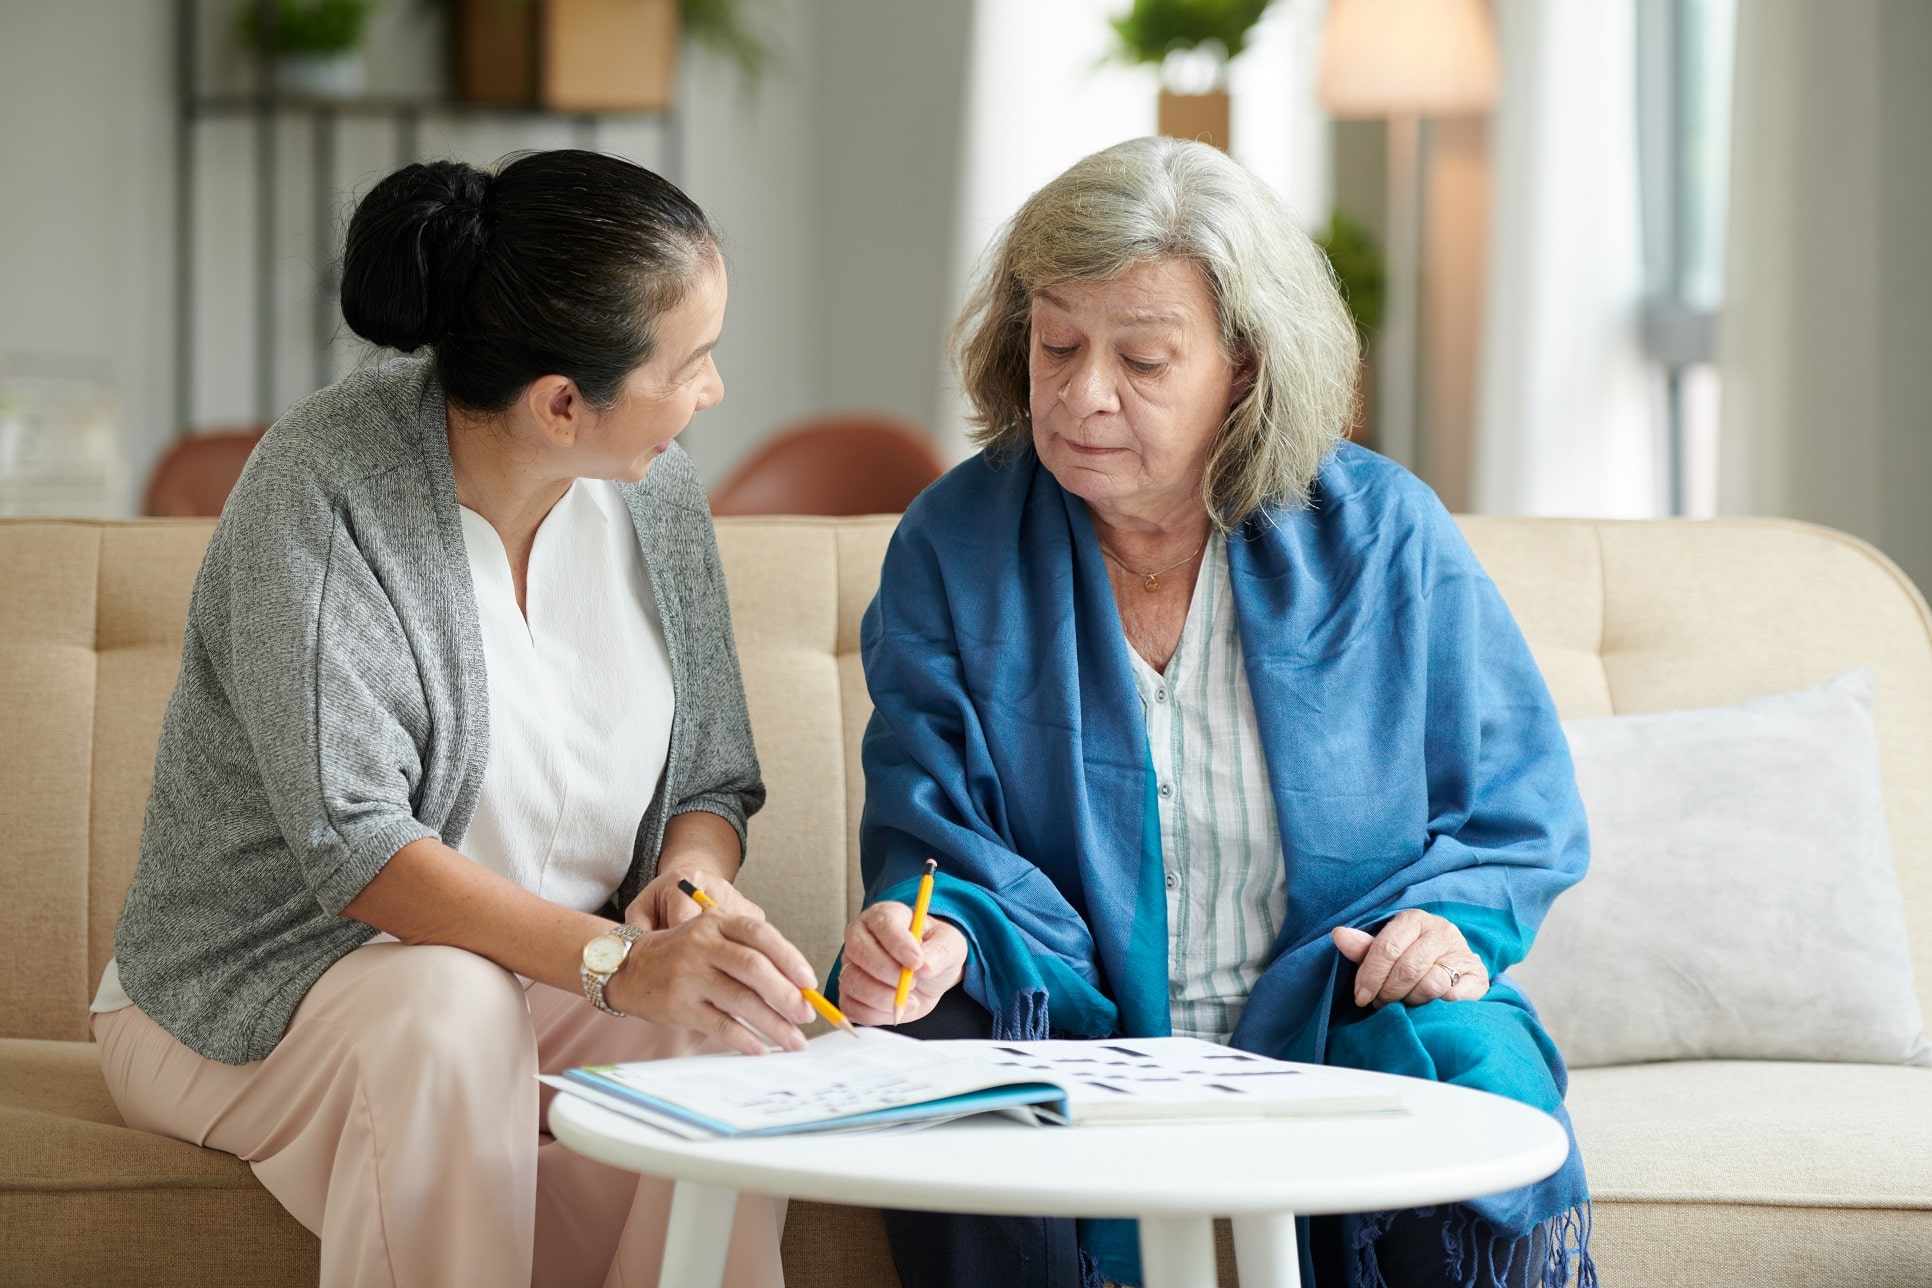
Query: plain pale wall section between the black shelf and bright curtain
{"type": "Point", "coordinates": [838, 200]}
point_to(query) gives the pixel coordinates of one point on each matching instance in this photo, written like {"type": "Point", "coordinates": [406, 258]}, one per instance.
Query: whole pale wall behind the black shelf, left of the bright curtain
{"type": "Point", "coordinates": [834, 188]}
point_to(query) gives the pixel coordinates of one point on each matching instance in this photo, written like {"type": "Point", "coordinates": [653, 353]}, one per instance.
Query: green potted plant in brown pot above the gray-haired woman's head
{"type": "Point", "coordinates": [1193, 43]}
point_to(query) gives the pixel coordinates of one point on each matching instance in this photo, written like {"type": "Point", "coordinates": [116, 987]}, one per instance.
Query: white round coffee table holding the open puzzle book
{"type": "Point", "coordinates": [1176, 1179]}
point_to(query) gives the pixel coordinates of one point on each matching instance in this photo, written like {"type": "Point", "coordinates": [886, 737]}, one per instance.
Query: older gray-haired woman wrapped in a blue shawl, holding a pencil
{"type": "Point", "coordinates": [1212, 719]}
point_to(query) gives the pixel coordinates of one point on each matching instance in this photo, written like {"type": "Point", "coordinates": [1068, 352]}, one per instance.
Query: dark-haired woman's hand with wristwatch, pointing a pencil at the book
{"type": "Point", "coordinates": [714, 972]}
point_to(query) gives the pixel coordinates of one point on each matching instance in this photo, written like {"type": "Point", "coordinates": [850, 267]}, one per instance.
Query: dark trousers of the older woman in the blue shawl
{"type": "Point", "coordinates": [948, 1250]}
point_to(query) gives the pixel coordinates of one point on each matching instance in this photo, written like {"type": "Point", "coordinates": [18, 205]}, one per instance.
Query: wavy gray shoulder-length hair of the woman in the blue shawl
{"type": "Point", "coordinates": [1282, 314]}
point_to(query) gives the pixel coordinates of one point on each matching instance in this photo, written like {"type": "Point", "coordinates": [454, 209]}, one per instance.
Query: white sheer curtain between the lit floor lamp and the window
{"type": "Point", "coordinates": [1564, 418]}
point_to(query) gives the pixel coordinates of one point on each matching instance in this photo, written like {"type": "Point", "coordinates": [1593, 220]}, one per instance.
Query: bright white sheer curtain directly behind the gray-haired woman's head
{"type": "Point", "coordinates": [1040, 96]}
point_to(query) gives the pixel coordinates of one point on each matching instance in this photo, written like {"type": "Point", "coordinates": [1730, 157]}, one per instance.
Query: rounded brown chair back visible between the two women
{"type": "Point", "coordinates": [834, 464]}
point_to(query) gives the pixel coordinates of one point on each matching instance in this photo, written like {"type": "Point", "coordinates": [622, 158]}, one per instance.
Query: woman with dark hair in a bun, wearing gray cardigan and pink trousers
{"type": "Point", "coordinates": [459, 708]}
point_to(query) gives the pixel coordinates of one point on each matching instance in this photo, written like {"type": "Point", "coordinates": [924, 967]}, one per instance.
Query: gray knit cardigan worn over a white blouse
{"type": "Point", "coordinates": [333, 706]}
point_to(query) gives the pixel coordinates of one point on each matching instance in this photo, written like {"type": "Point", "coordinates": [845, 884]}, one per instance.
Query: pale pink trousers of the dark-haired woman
{"type": "Point", "coordinates": [401, 1121]}
